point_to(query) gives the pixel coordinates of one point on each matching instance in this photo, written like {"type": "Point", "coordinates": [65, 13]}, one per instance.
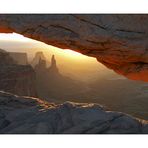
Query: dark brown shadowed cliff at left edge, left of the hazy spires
{"type": "Point", "coordinates": [18, 79]}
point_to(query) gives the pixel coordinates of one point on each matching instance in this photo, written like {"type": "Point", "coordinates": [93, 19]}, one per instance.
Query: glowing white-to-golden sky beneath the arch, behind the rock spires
{"type": "Point", "coordinates": [70, 63]}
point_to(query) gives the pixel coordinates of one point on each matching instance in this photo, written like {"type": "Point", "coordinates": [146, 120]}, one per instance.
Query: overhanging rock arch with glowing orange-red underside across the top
{"type": "Point", "coordinates": [120, 42]}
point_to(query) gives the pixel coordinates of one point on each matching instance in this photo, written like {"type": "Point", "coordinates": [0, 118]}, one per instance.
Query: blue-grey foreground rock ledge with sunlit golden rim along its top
{"type": "Point", "coordinates": [26, 115]}
